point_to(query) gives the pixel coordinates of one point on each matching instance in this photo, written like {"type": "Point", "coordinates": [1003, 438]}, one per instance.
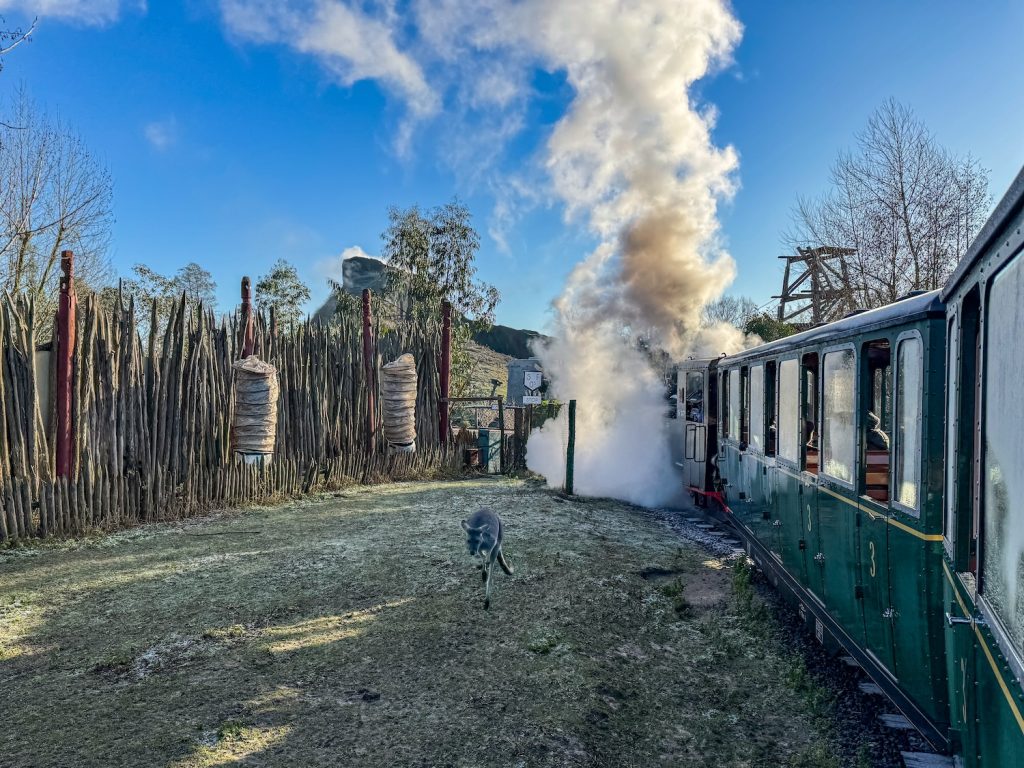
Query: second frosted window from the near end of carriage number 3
{"type": "Point", "coordinates": [838, 430]}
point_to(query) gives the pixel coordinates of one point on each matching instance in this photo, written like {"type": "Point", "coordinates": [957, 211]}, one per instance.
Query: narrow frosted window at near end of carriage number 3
{"type": "Point", "coordinates": [910, 373]}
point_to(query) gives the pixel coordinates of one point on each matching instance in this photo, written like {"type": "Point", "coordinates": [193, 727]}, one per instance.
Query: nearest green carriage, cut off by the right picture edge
{"type": "Point", "coordinates": [984, 545]}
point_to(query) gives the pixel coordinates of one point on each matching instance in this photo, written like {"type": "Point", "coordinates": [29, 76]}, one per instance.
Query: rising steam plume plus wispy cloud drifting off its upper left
{"type": "Point", "coordinates": [632, 156]}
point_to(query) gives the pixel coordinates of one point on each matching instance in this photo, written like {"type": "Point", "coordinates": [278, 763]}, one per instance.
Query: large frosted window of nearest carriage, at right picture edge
{"type": "Point", "coordinates": [1003, 458]}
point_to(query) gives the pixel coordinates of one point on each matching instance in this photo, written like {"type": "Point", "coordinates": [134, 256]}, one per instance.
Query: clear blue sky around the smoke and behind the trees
{"type": "Point", "coordinates": [233, 150]}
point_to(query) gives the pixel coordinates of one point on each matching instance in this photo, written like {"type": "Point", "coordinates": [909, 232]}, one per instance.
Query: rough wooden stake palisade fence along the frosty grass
{"type": "Point", "coordinates": [152, 421]}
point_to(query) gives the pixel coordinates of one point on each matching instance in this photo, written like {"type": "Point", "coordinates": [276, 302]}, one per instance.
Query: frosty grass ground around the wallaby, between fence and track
{"type": "Point", "coordinates": [352, 632]}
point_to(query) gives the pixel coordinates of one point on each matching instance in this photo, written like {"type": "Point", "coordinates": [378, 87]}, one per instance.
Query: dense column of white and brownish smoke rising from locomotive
{"type": "Point", "coordinates": [636, 156]}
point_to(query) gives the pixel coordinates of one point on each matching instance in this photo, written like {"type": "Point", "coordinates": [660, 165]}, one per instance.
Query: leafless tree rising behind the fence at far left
{"type": "Point", "coordinates": [55, 195]}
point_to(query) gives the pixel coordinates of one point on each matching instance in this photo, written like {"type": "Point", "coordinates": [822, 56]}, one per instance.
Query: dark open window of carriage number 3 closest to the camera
{"type": "Point", "coordinates": [877, 409]}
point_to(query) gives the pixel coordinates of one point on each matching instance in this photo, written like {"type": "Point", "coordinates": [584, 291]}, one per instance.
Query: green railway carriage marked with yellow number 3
{"type": "Point", "coordinates": [856, 523]}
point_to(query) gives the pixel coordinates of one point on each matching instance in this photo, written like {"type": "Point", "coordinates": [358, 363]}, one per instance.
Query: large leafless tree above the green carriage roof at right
{"type": "Point", "coordinates": [908, 206]}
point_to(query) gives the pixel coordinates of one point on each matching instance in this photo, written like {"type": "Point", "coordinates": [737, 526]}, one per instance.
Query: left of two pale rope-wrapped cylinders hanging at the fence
{"type": "Point", "coordinates": [255, 426]}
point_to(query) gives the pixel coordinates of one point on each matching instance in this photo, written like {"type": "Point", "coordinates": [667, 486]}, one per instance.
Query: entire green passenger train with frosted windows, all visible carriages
{"type": "Point", "coordinates": [875, 470]}
